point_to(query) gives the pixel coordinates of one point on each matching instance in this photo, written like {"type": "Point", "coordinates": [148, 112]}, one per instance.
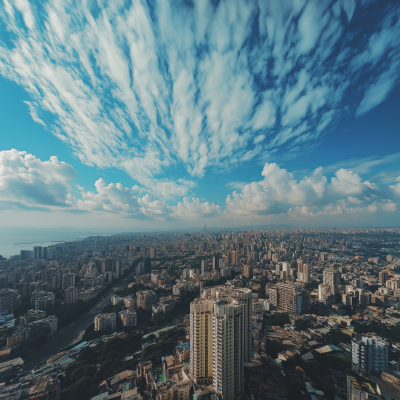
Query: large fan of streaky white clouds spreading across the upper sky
{"type": "Point", "coordinates": [205, 85]}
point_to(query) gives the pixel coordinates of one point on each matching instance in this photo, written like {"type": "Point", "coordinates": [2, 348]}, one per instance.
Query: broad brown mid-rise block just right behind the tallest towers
{"type": "Point", "coordinates": [289, 298]}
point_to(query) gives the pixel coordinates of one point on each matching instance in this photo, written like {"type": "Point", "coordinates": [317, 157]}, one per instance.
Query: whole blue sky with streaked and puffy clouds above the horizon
{"type": "Point", "coordinates": [135, 115]}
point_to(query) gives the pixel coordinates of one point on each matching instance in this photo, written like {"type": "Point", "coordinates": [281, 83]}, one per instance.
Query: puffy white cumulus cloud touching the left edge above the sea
{"type": "Point", "coordinates": [25, 179]}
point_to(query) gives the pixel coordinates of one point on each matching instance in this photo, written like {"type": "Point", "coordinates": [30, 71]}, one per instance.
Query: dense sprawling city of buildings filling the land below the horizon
{"type": "Point", "coordinates": [206, 314]}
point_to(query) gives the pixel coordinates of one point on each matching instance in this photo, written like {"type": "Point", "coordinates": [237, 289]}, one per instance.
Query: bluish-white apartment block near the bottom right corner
{"type": "Point", "coordinates": [369, 354]}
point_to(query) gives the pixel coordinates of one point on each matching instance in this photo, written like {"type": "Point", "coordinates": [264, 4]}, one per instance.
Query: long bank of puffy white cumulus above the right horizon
{"type": "Point", "coordinates": [281, 193]}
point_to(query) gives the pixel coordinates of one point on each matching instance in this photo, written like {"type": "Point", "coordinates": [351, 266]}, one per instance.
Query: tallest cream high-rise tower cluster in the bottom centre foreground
{"type": "Point", "coordinates": [220, 339]}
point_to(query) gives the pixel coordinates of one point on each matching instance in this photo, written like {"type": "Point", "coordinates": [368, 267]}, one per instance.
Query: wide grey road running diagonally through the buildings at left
{"type": "Point", "coordinates": [70, 335]}
